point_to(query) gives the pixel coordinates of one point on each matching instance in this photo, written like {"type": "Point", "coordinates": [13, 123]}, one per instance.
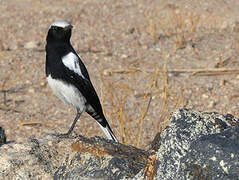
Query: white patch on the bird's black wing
{"type": "Point", "coordinates": [71, 61]}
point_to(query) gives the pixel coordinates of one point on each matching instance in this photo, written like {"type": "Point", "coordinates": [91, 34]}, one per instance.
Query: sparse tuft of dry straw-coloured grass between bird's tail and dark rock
{"type": "Point", "coordinates": [118, 95]}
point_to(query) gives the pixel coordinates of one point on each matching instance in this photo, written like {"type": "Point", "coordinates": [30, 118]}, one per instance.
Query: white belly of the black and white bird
{"type": "Point", "coordinates": [67, 93]}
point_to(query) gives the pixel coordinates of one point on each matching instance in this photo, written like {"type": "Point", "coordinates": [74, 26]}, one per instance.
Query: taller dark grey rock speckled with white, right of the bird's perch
{"type": "Point", "coordinates": [185, 147]}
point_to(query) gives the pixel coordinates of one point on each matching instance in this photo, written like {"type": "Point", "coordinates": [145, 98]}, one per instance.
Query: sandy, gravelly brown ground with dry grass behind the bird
{"type": "Point", "coordinates": [145, 59]}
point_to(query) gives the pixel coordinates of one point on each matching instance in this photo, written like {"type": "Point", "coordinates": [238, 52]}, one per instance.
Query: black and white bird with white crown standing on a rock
{"type": "Point", "coordinates": [68, 77]}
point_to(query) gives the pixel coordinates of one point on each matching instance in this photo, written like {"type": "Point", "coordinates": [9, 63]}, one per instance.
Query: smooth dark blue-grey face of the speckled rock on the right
{"type": "Point", "coordinates": [213, 157]}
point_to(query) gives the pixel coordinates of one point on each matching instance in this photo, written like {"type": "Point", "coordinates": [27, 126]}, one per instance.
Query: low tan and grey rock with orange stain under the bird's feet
{"type": "Point", "coordinates": [70, 158]}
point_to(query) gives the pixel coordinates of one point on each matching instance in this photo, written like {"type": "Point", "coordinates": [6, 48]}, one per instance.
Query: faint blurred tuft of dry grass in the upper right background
{"type": "Point", "coordinates": [179, 26]}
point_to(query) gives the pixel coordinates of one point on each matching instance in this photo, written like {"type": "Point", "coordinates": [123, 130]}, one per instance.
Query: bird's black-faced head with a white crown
{"type": "Point", "coordinates": [59, 31]}
